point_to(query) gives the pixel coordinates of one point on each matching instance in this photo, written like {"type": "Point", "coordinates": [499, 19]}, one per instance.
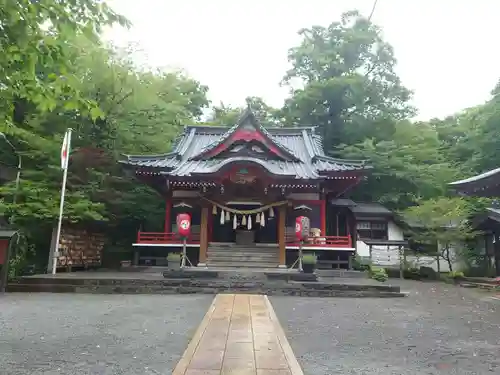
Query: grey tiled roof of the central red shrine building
{"type": "Point", "coordinates": [310, 161]}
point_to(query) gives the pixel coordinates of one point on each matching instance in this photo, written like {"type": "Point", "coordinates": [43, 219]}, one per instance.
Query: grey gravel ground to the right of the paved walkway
{"type": "Point", "coordinates": [437, 329]}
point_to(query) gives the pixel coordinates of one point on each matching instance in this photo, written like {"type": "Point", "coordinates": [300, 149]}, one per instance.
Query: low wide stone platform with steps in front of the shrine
{"type": "Point", "coordinates": [265, 282]}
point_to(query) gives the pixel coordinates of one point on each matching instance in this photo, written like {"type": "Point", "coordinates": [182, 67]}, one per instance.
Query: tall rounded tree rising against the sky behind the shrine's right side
{"type": "Point", "coordinates": [343, 81]}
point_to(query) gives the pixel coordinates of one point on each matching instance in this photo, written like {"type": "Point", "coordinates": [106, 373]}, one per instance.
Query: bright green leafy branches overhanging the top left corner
{"type": "Point", "coordinates": [34, 51]}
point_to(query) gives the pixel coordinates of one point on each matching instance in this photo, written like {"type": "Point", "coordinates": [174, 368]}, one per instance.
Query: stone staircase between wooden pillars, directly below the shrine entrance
{"type": "Point", "coordinates": [242, 256]}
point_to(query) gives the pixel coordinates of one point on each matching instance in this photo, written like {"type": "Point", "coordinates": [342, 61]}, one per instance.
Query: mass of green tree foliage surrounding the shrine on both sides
{"type": "Point", "coordinates": [342, 80]}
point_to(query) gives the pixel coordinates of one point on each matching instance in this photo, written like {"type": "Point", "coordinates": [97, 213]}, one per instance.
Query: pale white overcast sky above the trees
{"type": "Point", "coordinates": [447, 50]}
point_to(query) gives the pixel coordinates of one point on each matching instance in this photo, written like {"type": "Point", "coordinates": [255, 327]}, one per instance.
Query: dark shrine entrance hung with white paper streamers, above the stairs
{"type": "Point", "coordinates": [229, 227]}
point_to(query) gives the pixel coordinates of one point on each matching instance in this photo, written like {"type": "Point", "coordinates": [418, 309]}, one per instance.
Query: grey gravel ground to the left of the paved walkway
{"type": "Point", "coordinates": [96, 334]}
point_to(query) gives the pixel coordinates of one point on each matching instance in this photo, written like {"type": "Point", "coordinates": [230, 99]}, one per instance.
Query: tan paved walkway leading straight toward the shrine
{"type": "Point", "coordinates": [240, 335]}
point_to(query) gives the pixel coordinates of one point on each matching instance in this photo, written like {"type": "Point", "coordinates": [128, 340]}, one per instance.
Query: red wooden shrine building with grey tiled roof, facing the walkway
{"type": "Point", "coordinates": [244, 186]}
